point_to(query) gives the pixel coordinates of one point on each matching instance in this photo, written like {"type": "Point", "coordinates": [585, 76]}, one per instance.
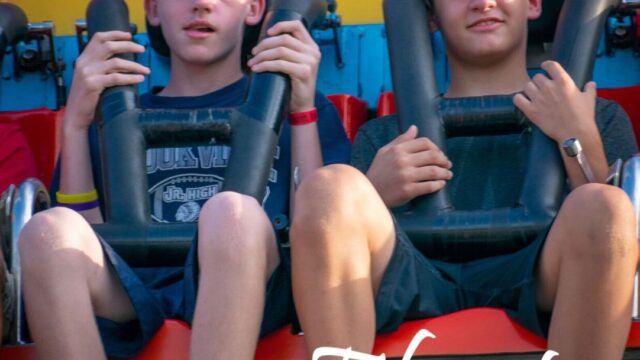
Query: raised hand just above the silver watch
{"type": "Point", "coordinates": [557, 106]}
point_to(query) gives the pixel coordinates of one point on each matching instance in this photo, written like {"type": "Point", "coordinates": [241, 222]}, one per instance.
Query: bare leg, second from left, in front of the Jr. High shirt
{"type": "Point", "coordinates": [237, 253]}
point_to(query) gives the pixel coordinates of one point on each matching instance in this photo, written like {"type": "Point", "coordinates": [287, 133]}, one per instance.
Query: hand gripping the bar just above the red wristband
{"type": "Point", "coordinates": [290, 50]}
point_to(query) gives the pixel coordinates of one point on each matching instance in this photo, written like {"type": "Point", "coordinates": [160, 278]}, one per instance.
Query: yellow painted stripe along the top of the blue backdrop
{"type": "Point", "coordinates": [64, 13]}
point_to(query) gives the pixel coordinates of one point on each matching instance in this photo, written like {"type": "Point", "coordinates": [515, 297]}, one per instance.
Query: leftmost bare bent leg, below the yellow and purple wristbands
{"type": "Point", "coordinates": [66, 281]}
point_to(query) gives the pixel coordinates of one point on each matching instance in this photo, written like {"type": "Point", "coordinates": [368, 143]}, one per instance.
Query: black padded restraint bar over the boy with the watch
{"type": "Point", "coordinates": [433, 225]}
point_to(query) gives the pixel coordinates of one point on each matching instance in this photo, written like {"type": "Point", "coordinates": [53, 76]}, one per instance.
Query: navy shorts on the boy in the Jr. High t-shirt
{"type": "Point", "coordinates": [158, 294]}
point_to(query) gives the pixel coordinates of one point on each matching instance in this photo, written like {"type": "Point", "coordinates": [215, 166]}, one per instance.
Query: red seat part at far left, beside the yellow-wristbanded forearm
{"type": "Point", "coordinates": [42, 128]}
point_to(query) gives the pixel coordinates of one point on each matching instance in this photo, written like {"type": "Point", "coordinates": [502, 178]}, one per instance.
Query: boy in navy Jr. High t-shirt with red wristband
{"type": "Point", "coordinates": [71, 275]}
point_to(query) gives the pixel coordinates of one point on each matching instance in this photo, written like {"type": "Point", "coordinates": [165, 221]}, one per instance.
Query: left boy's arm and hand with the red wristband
{"type": "Point", "coordinates": [292, 51]}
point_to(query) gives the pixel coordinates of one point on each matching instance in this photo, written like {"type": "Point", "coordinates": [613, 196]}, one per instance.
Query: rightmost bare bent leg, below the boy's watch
{"type": "Point", "coordinates": [586, 274]}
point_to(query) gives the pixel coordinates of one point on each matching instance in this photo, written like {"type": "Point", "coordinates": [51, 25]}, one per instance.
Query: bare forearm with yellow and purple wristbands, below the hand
{"type": "Point", "coordinates": [76, 176]}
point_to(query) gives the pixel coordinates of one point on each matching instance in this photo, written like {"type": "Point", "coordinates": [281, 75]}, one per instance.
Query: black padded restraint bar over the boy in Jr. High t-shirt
{"type": "Point", "coordinates": [126, 132]}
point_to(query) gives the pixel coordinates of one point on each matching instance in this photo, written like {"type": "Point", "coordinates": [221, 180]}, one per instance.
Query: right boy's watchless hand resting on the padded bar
{"type": "Point", "coordinates": [408, 167]}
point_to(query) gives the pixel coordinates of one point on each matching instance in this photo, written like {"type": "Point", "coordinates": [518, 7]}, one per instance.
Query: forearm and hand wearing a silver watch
{"type": "Point", "coordinates": [561, 111]}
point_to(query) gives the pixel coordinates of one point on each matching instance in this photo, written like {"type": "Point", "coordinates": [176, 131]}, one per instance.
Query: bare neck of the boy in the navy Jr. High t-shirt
{"type": "Point", "coordinates": [195, 80]}
